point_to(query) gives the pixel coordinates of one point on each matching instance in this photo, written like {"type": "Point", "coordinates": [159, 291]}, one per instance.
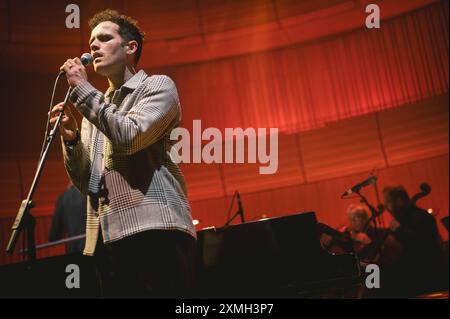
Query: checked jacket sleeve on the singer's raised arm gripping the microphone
{"type": "Point", "coordinates": [153, 115]}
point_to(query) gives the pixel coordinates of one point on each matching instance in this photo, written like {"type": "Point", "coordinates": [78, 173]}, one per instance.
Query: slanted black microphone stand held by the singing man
{"type": "Point", "coordinates": [24, 219]}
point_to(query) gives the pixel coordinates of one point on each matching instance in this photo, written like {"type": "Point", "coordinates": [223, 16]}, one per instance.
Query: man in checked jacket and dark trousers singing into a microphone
{"type": "Point", "coordinates": [139, 223]}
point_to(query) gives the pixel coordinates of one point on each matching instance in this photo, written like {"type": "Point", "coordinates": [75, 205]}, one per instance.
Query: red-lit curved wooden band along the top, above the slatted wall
{"type": "Point", "coordinates": [184, 31]}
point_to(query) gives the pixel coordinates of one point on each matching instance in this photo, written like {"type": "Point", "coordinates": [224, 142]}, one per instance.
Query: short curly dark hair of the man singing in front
{"type": "Point", "coordinates": [128, 27]}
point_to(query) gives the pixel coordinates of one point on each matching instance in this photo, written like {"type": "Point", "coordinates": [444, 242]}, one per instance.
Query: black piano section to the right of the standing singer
{"type": "Point", "coordinates": [276, 257]}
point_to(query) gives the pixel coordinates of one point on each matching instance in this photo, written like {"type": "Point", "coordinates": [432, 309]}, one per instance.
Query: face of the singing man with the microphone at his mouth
{"type": "Point", "coordinates": [107, 48]}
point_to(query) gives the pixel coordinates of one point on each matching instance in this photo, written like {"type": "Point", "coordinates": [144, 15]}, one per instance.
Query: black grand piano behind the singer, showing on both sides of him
{"type": "Point", "coordinates": [276, 257]}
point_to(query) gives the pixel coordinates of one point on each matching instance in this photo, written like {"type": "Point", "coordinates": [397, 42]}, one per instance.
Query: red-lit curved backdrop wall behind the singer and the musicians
{"type": "Point", "coordinates": [347, 102]}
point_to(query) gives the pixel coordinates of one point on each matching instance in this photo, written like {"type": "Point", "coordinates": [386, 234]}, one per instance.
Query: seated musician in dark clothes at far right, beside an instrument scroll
{"type": "Point", "coordinates": [419, 265]}
